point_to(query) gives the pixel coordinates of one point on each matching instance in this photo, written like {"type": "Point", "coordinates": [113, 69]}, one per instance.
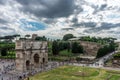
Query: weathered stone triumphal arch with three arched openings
{"type": "Point", "coordinates": [31, 55]}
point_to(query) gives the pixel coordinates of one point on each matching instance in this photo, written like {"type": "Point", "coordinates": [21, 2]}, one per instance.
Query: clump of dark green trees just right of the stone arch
{"type": "Point", "coordinates": [70, 47]}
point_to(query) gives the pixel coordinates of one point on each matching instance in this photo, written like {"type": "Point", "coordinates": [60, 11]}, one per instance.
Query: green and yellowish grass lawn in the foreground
{"type": "Point", "coordinates": [76, 73]}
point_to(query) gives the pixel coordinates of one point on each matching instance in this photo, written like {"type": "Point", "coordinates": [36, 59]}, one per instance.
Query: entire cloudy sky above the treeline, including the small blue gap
{"type": "Point", "coordinates": [54, 18]}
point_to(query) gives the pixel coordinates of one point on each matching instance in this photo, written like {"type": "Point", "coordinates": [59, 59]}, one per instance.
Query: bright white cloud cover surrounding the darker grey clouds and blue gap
{"type": "Point", "coordinates": [97, 11]}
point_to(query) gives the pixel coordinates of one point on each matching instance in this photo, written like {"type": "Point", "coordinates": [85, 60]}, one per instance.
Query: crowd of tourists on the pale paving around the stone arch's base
{"type": "Point", "coordinates": [8, 72]}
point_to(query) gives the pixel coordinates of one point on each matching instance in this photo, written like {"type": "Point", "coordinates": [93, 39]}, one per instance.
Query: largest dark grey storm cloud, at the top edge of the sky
{"type": "Point", "coordinates": [48, 8]}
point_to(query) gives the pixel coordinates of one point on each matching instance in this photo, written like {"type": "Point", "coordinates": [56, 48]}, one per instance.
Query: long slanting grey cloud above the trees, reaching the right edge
{"type": "Point", "coordinates": [104, 26]}
